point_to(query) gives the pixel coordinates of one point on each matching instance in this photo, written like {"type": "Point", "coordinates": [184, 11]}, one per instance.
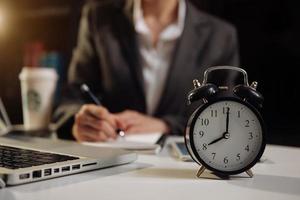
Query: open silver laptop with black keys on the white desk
{"type": "Point", "coordinates": [29, 159]}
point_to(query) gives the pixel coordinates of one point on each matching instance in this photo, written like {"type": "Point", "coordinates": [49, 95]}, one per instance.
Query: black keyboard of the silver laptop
{"type": "Point", "coordinates": [15, 158]}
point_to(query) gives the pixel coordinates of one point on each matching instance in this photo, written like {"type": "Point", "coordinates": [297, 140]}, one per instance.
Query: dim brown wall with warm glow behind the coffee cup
{"type": "Point", "coordinates": [52, 22]}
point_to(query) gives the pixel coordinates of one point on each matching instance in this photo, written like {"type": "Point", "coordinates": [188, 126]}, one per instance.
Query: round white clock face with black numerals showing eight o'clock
{"type": "Point", "coordinates": [227, 136]}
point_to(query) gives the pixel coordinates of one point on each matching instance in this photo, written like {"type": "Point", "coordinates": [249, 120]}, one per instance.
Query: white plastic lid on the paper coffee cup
{"type": "Point", "coordinates": [38, 73]}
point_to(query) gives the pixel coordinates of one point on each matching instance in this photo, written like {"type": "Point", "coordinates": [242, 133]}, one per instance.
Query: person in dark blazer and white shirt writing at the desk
{"type": "Point", "coordinates": [140, 56]}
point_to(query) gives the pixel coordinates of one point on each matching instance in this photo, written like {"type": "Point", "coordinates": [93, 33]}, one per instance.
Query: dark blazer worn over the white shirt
{"type": "Point", "coordinates": [107, 59]}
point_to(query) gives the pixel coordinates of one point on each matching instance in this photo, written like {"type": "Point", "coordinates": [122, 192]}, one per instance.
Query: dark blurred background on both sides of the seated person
{"type": "Point", "coordinates": [268, 35]}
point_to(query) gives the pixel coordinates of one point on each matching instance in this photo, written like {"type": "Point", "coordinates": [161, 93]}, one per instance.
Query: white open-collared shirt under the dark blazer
{"type": "Point", "coordinates": [155, 61]}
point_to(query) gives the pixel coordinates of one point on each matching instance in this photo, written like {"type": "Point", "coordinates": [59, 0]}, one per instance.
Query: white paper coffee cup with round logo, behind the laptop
{"type": "Point", "coordinates": [37, 89]}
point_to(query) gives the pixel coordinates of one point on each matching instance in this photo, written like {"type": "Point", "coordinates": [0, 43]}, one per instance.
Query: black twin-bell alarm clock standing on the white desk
{"type": "Point", "coordinates": [226, 133]}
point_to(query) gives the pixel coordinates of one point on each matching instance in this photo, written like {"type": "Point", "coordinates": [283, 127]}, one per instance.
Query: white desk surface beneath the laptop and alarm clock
{"type": "Point", "coordinates": [163, 177]}
